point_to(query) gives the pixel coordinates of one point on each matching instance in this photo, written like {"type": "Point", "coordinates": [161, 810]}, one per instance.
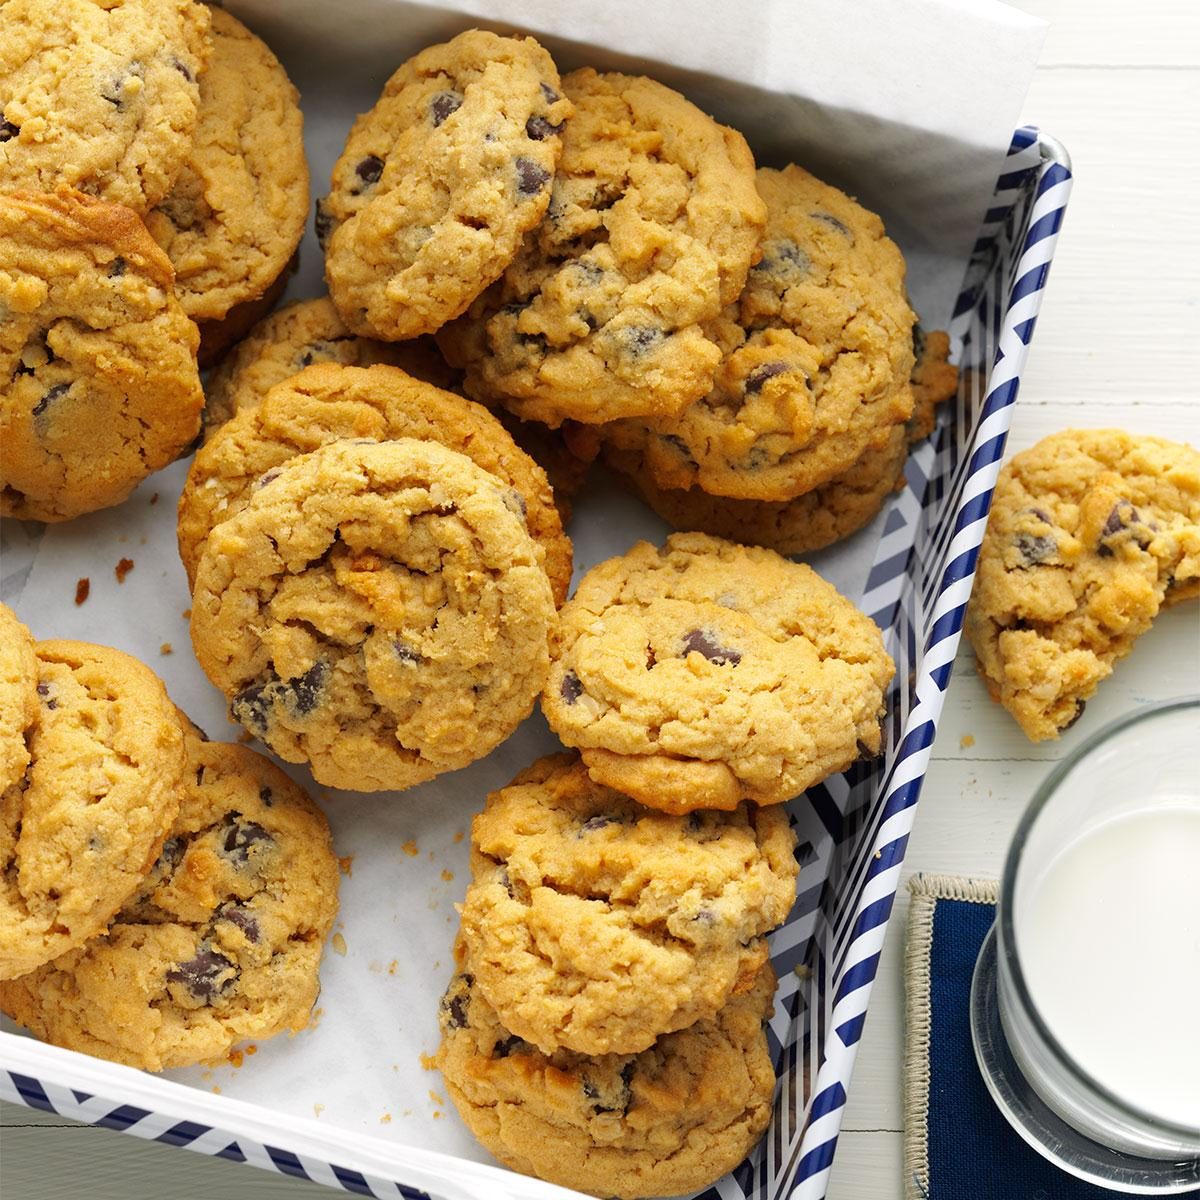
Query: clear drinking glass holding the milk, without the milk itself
{"type": "Point", "coordinates": [1144, 763]}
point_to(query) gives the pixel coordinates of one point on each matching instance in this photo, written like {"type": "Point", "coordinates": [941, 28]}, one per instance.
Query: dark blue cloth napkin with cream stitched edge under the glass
{"type": "Point", "coordinates": [973, 1153]}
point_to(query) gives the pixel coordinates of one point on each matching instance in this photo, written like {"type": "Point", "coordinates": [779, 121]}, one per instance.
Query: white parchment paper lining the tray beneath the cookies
{"type": "Point", "coordinates": [909, 105]}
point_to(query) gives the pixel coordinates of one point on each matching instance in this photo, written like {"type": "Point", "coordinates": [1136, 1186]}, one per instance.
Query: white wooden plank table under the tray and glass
{"type": "Point", "coordinates": [1119, 344]}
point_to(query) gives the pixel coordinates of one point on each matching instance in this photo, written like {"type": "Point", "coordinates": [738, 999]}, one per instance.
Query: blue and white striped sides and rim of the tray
{"type": "Point", "coordinates": [854, 829]}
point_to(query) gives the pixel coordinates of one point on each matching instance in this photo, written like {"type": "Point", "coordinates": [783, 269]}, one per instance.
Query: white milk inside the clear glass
{"type": "Point", "coordinates": [1109, 943]}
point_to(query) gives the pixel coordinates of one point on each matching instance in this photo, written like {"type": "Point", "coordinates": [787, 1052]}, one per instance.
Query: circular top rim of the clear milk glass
{"type": "Point", "coordinates": [1007, 932]}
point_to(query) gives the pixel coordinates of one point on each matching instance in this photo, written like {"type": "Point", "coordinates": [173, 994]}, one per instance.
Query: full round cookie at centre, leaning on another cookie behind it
{"type": "Point", "coordinates": [376, 610]}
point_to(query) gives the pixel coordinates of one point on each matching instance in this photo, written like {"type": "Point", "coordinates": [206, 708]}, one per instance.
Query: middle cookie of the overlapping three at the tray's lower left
{"type": "Point", "coordinates": [88, 820]}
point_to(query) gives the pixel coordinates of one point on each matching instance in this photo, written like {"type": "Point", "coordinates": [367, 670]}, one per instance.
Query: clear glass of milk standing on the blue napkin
{"type": "Point", "coordinates": [1087, 999]}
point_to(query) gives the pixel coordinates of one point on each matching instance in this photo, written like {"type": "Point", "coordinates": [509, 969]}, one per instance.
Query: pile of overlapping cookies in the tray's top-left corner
{"type": "Point", "coordinates": [153, 191]}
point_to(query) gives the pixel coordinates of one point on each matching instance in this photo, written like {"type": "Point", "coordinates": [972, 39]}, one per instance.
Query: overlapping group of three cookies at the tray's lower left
{"type": "Point", "coordinates": [164, 897]}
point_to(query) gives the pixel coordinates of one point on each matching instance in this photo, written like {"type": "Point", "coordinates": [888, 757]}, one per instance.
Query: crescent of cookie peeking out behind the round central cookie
{"type": "Point", "coordinates": [327, 403]}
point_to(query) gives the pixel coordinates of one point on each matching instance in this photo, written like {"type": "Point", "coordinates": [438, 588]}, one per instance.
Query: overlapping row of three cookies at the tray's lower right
{"type": "Point", "coordinates": [607, 1029]}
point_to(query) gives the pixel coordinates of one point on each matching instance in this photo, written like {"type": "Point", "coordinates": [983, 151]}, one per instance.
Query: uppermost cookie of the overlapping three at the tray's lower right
{"type": "Point", "coordinates": [704, 674]}
